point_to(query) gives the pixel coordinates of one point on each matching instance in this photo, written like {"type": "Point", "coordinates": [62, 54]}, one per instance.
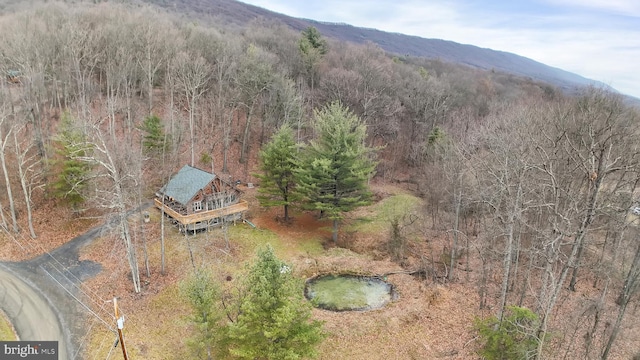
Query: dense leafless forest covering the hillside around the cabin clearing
{"type": "Point", "coordinates": [532, 187]}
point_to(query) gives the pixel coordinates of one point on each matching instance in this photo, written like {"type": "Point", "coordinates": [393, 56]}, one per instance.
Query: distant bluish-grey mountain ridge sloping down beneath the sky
{"type": "Point", "coordinates": [238, 13]}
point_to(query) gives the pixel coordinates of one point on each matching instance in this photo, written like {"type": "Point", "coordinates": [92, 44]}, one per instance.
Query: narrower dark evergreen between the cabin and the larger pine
{"type": "Point", "coordinates": [277, 163]}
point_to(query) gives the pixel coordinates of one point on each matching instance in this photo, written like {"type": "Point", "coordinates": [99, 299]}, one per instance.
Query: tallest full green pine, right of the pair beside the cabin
{"type": "Point", "coordinates": [335, 168]}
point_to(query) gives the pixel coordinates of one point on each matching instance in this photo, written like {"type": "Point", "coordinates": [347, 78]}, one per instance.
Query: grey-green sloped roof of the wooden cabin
{"type": "Point", "coordinates": [186, 184]}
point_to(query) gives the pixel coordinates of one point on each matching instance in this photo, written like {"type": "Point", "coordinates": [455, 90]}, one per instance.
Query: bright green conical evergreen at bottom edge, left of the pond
{"type": "Point", "coordinates": [274, 319]}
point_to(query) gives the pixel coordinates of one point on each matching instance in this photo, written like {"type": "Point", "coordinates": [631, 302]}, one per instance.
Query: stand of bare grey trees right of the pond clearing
{"type": "Point", "coordinates": [541, 195]}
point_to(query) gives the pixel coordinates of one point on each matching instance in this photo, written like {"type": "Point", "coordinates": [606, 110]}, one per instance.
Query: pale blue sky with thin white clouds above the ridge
{"type": "Point", "coordinates": [598, 39]}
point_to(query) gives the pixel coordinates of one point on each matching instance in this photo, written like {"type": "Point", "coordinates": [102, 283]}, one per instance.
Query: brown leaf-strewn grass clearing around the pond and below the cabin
{"type": "Point", "coordinates": [425, 322]}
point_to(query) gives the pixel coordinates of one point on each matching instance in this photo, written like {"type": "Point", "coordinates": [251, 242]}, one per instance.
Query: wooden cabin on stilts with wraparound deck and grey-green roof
{"type": "Point", "coordinates": [195, 199]}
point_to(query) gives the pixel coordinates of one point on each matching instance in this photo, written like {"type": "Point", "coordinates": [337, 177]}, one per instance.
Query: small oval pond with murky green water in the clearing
{"type": "Point", "coordinates": [348, 292]}
